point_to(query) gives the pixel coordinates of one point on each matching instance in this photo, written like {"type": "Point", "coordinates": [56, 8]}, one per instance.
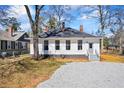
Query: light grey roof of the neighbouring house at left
{"type": "Point", "coordinates": [5, 35]}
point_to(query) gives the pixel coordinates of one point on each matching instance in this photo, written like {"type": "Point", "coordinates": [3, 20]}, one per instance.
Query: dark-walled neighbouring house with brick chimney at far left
{"type": "Point", "coordinates": [13, 42]}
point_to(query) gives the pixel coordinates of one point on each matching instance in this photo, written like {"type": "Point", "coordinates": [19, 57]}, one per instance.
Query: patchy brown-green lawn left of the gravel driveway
{"type": "Point", "coordinates": [25, 72]}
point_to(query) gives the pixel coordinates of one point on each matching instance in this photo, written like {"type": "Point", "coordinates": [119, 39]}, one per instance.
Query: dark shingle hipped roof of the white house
{"type": "Point", "coordinates": [68, 32]}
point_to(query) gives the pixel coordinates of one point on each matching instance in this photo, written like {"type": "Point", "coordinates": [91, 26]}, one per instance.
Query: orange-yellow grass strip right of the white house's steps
{"type": "Point", "coordinates": [112, 58]}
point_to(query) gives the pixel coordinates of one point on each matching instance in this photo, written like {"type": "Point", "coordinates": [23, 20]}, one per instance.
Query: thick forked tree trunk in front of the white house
{"type": "Point", "coordinates": [34, 27]}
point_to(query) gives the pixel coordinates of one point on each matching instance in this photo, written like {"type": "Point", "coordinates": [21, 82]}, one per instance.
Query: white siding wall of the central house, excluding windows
{"type": "Point", "coordinates": [74, 47]}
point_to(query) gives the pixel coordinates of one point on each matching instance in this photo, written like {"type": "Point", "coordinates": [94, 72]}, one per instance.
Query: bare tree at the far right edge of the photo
{"type": "Point", "coordinates": [116, 23]}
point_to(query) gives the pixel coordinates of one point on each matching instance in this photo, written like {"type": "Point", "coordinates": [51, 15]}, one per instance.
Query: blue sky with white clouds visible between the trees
{"type": "Point", "coordinates": [90, 25]}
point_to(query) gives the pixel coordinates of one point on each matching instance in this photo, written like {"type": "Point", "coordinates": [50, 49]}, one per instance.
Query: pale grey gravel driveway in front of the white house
{"type": "Point", "coordinates": [90, 74]}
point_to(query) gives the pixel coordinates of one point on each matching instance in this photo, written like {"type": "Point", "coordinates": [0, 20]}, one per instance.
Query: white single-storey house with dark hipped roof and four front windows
{"type": "Point", "coordinates": [68, 42]}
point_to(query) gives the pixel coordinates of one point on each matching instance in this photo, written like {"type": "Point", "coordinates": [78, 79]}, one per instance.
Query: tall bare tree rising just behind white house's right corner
{"type": "Point", "coordinates": [101, 15]}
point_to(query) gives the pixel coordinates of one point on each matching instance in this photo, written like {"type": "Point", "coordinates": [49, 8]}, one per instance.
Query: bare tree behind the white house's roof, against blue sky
{"type": "Point", "coordinates": [60, 13]}
